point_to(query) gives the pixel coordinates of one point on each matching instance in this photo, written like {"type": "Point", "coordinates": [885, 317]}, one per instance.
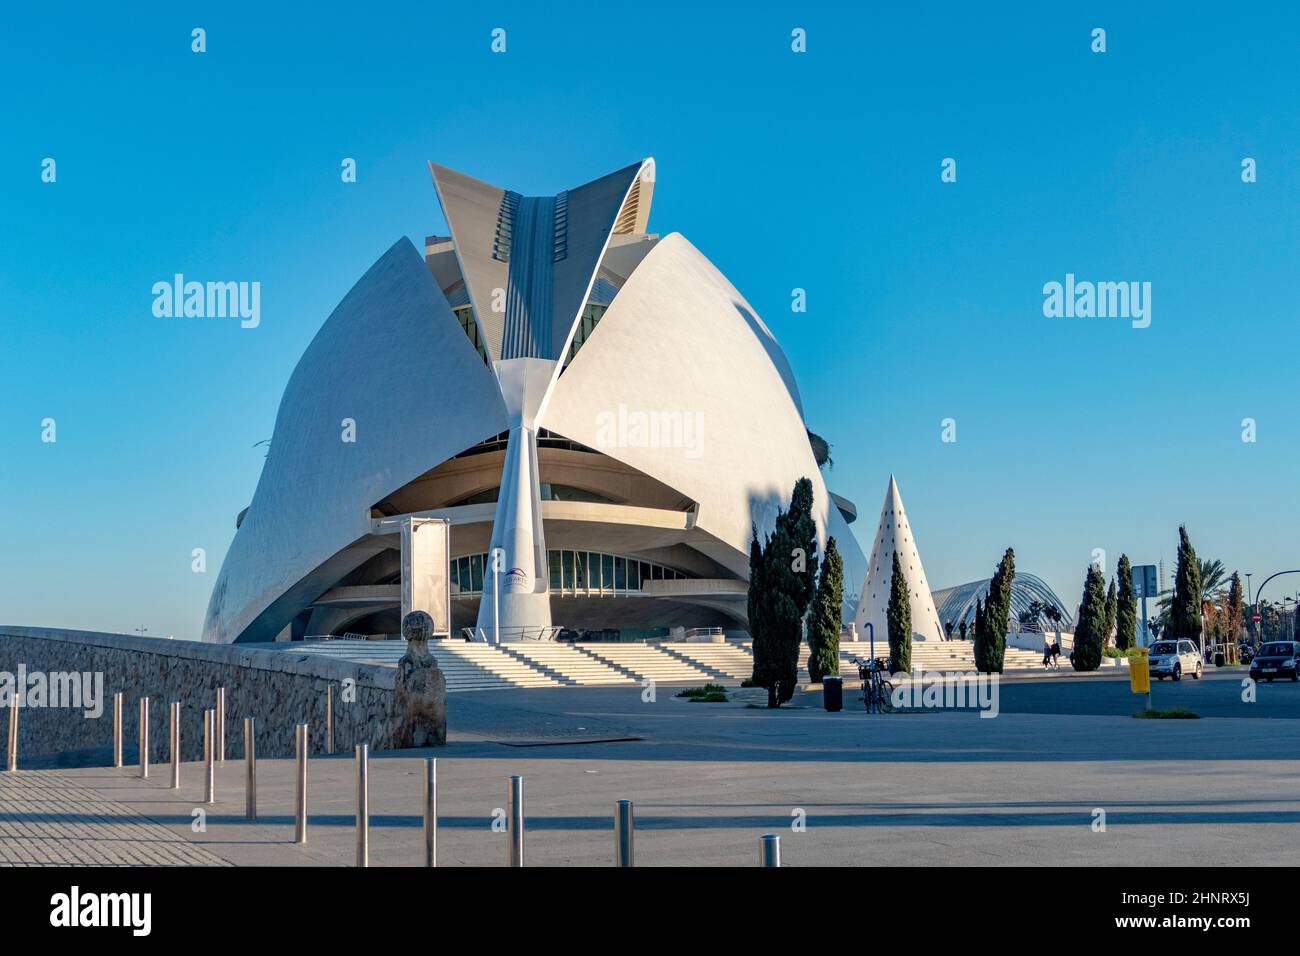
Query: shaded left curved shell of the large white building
{"type": "Point", "coordinates": [391, 358]}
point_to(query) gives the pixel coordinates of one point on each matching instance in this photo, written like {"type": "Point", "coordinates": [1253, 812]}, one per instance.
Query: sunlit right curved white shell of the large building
{"type": "Point", "coordinates": [681, 339]}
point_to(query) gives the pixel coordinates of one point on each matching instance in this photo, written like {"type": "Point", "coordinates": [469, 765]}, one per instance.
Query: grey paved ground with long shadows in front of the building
{"type": "Point", "coordinates": [708, 780]}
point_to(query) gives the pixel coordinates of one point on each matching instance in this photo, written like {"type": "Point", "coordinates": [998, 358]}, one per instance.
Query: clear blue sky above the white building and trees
{"type": "Point", "coordinates": [817, 171]}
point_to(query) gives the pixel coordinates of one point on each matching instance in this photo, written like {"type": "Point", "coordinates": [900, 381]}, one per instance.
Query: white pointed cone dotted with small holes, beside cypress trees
{"type": "Point", "coordinates": [895, 535]}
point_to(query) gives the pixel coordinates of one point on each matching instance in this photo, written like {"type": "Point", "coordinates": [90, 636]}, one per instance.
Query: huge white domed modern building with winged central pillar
{"type": "Point", "coordinates": [556, 382]}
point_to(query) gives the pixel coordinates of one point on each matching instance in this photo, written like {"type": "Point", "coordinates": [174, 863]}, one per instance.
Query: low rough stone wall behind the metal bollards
{"type": "Point", "coordinates": [278, 689]}
